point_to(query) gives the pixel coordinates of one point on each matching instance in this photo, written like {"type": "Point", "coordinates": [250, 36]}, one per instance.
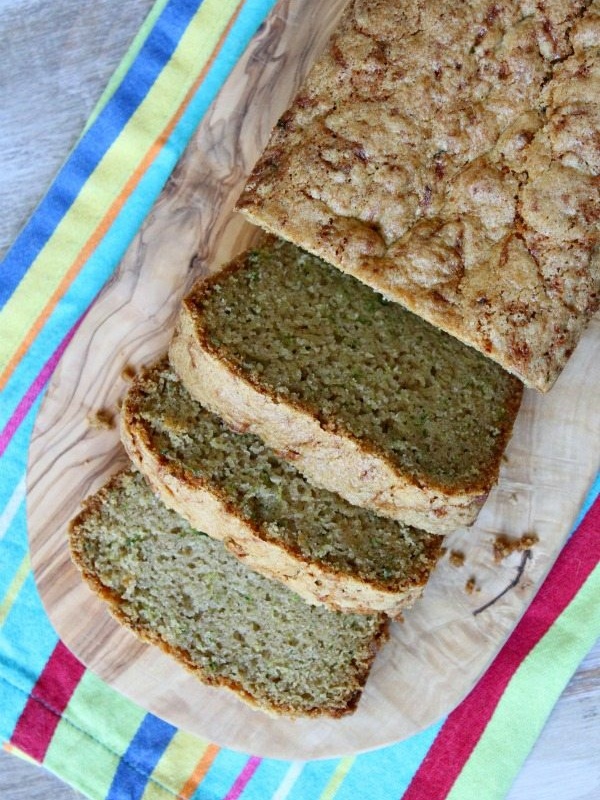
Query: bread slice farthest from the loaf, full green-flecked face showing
{"type": "Point", "coordinates": [181, 590]}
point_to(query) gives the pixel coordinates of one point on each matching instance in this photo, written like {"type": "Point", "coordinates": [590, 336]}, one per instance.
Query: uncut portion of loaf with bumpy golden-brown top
{"type": "Point", "coordinates": [447, 154]}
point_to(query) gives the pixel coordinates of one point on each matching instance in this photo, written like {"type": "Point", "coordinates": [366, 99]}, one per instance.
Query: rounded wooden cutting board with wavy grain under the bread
{"type": "Point", "coordinates": [448, 639]}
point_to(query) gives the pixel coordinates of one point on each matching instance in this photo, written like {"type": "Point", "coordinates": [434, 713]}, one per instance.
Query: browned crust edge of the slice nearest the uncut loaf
{"type": "Point", "coordinates": [324, 449]}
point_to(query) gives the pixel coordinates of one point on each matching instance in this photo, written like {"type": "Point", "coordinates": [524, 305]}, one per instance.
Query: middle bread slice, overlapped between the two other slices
{"type": "Point", "coordinates": [234, 488]}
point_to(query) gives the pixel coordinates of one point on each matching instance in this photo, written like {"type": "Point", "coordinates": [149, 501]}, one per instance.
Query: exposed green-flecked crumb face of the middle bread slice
{"type": "Point", "coordinates": [271, 496]}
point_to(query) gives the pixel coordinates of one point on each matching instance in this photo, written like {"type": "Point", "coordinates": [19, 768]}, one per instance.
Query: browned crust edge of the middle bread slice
{"type": "Point", "coordinates": [201, 500]}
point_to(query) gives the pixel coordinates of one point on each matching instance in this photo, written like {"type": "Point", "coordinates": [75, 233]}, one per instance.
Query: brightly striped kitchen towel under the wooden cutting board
{"type": "Point", "coordinates": [58, 713]}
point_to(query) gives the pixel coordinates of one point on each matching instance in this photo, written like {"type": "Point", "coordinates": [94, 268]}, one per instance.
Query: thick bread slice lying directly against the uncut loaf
{"type": "Point", "coordinates": [365, 398]}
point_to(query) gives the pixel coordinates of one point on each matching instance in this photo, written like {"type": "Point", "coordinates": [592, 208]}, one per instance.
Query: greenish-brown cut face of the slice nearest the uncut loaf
{"type": "Point", "coordinates": [309, 335]}
